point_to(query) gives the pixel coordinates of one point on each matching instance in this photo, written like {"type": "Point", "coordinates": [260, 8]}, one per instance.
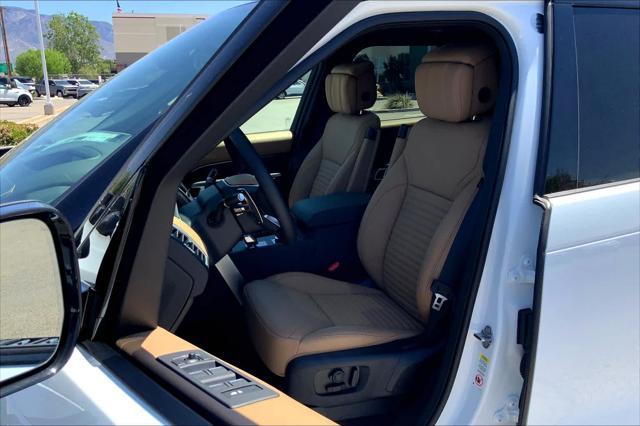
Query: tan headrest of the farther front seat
{"type": "Point", "coordinates": [351, 87]}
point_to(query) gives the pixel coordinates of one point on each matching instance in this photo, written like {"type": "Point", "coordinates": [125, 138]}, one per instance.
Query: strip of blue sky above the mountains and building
{"type": "Point", "coordinates": [101, 10]}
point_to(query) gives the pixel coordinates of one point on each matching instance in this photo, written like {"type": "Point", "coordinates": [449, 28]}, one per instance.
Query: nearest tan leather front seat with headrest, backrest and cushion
{"type": "Point", "coordinates": [406, 232]}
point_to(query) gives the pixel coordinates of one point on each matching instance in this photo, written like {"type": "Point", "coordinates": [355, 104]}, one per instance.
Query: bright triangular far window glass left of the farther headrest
{"type": "Point", "coordinates": [278, 114]}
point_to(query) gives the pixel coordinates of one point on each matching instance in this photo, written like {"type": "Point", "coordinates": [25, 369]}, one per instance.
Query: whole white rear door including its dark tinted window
{"type": "Point", "coordinates": [585, 361]}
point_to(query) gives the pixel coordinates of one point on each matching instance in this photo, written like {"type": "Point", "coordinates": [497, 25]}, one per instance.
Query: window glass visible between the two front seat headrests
{"type": "Point", "coordinates": [395, 68]}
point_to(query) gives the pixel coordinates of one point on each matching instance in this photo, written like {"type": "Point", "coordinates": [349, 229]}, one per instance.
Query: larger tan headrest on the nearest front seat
{"type": "Point", "coordinates": [456, 82]}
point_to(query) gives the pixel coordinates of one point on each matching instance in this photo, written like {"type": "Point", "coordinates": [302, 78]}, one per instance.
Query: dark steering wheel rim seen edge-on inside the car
{"type": "Point", "coordinates": [252, 159]}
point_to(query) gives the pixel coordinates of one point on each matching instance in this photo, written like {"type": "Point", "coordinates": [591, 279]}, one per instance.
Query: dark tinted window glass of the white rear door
{"type": "Point", "coordinates": [594, 135]}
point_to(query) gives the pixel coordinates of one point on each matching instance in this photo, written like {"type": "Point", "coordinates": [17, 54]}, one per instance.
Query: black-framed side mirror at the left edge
{"type": "Point", "coordinates": [40, 307]}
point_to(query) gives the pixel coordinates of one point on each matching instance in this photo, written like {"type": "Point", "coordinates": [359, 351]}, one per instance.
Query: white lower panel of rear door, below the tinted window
{"type": "Point", "coordinates": [587, 355]}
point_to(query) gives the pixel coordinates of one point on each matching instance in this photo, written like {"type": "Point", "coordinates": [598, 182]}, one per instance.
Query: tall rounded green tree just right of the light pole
{"type": "Point", "coordinates": [76, 37]}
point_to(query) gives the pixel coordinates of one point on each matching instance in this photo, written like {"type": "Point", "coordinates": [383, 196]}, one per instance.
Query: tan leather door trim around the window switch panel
{"type": "Point", "coordinates": [282, 410]}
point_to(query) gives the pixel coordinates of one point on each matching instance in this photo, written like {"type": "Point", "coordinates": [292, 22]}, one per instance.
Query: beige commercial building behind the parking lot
{"type": "Point", "coordinates": [136, 34]}
